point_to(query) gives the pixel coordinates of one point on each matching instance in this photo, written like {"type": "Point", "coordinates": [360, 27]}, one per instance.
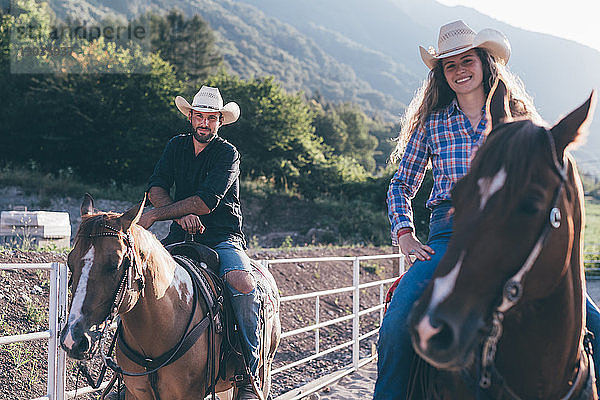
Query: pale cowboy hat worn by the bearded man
{"type": "Point", "coordinates": [208, 99]}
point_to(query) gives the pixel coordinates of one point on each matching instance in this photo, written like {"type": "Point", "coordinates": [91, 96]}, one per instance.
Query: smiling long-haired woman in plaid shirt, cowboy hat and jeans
{"type": "Point", "coordinates": [444, 126]}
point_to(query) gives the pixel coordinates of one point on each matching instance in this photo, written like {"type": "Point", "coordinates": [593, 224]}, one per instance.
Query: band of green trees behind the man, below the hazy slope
{"type": "Point", "coordinates": [104, 111]}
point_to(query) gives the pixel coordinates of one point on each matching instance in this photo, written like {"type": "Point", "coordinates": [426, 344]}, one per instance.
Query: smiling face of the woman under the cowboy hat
{"type": "Point", "coordinates": [464, 72]}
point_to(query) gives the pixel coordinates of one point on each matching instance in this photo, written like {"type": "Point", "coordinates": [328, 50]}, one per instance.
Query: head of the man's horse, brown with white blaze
{"type": "Point", "coordinates": [104, 266]}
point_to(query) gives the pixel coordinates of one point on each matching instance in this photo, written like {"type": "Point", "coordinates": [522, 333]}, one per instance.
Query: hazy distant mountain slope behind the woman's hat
{"type": "Point", "coordinates": [352, 51]}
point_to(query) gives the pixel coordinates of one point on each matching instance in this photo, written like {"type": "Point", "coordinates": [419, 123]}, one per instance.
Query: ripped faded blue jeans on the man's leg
{"type": "Point", "coordinates": [246, 306]}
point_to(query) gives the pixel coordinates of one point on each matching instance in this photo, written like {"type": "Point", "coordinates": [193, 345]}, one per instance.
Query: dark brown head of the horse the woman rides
{"type": "Point", "coordinates": [517, 229]}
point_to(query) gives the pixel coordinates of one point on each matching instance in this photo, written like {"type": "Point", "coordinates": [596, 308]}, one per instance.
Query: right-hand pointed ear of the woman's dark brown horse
{"type": "Point", "coordinates": [573, 127]}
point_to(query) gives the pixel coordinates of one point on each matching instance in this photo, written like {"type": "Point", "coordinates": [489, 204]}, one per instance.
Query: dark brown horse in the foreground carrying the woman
{"type": "Point", "coordinates": [505, 310]}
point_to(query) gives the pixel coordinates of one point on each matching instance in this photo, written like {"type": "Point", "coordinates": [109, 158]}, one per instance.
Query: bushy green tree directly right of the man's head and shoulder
{"type": "Point", "coordinates": [277, 140]}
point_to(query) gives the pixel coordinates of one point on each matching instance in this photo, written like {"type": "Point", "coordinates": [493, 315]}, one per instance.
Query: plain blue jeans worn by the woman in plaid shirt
{"type": "Point", "coordinates": [394, 349]}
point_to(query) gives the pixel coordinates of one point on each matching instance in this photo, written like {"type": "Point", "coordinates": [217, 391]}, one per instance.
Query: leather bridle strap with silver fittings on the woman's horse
{"type": "Point", "coordinates": [513, 291]}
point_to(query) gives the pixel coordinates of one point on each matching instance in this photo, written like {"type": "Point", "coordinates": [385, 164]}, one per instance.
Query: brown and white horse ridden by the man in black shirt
{"type": "Point", "coordinates": [120, 268]}
